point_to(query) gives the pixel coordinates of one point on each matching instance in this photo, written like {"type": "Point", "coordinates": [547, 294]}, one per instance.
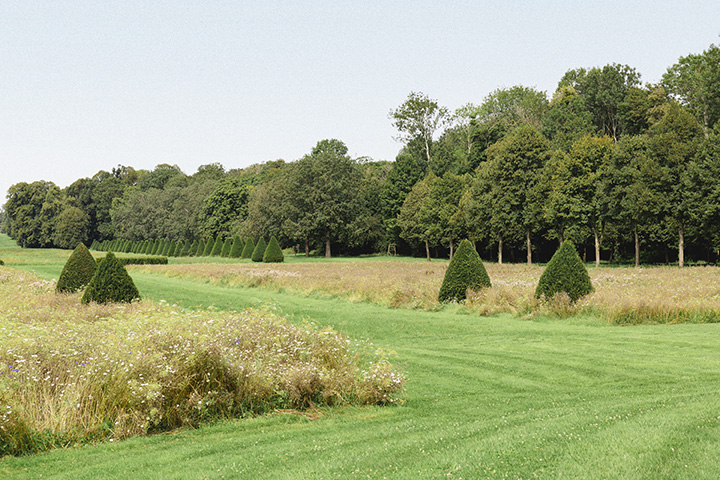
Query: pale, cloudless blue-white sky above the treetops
{"type": "Point", "coordinates": [88, 85]}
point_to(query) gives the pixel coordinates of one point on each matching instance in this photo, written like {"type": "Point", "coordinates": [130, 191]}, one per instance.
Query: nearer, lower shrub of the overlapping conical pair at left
{"type": "Point", "coordinates": [111, 283]}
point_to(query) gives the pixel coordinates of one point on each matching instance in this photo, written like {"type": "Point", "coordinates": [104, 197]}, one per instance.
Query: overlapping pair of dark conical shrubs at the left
{"type": "Point", "coordinates": [104, 281]}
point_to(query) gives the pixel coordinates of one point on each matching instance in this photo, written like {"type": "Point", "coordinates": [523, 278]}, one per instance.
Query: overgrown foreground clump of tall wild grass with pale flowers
{"type": "Point", "coordinates": [74, 373]}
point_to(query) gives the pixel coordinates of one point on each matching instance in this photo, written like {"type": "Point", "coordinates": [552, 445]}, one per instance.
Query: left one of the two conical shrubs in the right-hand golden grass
{"type": "Point", "coordinates": [465, 270]}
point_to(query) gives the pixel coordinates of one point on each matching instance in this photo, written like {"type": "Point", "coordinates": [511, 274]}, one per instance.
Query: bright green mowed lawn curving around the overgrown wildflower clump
{"type": "Point", "coordinates": [487, 397]}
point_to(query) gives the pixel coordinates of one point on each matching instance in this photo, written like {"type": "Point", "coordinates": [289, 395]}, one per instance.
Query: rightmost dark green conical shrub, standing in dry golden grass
{"type": "Point", "coordinates": [565, 272]}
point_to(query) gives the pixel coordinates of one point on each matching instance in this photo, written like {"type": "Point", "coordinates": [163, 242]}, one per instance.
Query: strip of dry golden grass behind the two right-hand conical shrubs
{"type": "Point", "coordinates": [622, 295]}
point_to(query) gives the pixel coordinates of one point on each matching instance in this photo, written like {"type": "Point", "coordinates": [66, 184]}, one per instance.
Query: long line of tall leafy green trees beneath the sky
{"type": "Point", "coordinates": [626, 170]}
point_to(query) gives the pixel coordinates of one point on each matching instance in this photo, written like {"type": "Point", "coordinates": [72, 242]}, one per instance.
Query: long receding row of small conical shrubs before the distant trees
{"type": "Point", "coordinates": [228, 248]}
